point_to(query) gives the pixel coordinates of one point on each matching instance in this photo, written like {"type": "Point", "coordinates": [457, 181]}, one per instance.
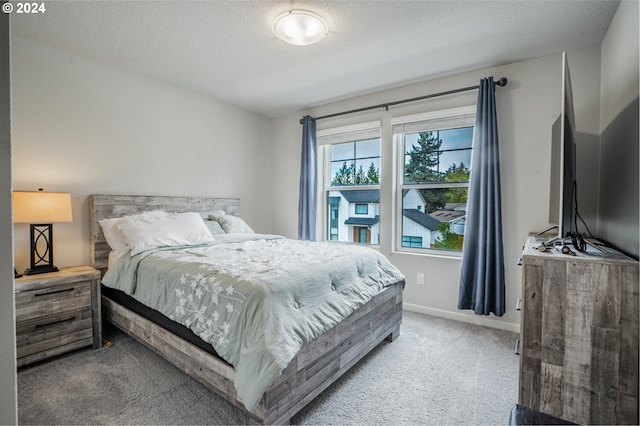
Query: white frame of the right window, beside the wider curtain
{"type": "Point", "coordinates": [430, 121]}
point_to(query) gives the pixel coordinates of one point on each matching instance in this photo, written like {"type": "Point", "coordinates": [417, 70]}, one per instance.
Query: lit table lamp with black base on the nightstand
{"type": "Point", "coordinates": [40, 209]}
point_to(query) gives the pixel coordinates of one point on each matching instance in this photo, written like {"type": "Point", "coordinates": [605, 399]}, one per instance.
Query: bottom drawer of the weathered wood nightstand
{"type": "Point", "coordinates": [47, 336]}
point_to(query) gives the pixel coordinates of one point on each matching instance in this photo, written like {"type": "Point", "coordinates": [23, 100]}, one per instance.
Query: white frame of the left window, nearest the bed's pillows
{"type": "Point", "coordinates": [325, 138]}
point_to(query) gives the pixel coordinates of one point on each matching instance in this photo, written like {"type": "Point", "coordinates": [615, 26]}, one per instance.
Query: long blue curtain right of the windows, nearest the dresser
{"type": "Point", "coordinates": [482, 284]}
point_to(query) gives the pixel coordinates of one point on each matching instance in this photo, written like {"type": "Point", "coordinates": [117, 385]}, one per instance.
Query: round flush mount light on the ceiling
{"type": "Point", "coordinates": [300, 27]}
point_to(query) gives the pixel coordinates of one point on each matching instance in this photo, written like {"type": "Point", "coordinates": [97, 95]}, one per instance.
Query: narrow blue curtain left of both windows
{"type": "Point", "coordinates": [308, 187]}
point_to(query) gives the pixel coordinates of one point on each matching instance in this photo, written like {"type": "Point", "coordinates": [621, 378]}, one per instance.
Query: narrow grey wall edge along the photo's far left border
{"type": "Point", "coordinates": [8, 387]}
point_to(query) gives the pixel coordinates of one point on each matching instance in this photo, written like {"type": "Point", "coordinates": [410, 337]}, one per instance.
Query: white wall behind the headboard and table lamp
{"type": "Point", "coordinates": [83, 127]}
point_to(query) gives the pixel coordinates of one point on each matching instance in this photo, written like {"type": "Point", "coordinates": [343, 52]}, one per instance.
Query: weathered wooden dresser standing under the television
{"type": "Point", "coordinates": [579, 331]}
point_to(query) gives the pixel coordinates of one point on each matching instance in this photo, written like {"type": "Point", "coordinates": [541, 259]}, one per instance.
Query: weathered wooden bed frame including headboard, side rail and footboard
{"type": "Point", "coordinates": [316, 366]}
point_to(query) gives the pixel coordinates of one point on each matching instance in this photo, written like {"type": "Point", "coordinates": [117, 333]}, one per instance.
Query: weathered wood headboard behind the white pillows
{"type": "Point", "coordinates": [110, 206]}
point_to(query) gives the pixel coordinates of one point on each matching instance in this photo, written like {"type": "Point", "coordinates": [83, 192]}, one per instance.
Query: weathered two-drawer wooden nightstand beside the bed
{"type": "Point", "coordinates": [57, 312]}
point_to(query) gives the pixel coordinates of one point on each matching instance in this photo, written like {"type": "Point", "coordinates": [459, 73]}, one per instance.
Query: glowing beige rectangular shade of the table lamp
{"type": "Point", "coordinates": [41, 207]}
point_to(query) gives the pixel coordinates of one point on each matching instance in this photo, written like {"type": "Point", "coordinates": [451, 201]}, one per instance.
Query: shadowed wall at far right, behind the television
{"type": "Point", "coordinates": [619, 202]}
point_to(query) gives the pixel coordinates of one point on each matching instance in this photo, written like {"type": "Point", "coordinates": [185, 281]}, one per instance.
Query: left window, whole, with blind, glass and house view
{"type": "Point", "coordinates": [350, 159]}
